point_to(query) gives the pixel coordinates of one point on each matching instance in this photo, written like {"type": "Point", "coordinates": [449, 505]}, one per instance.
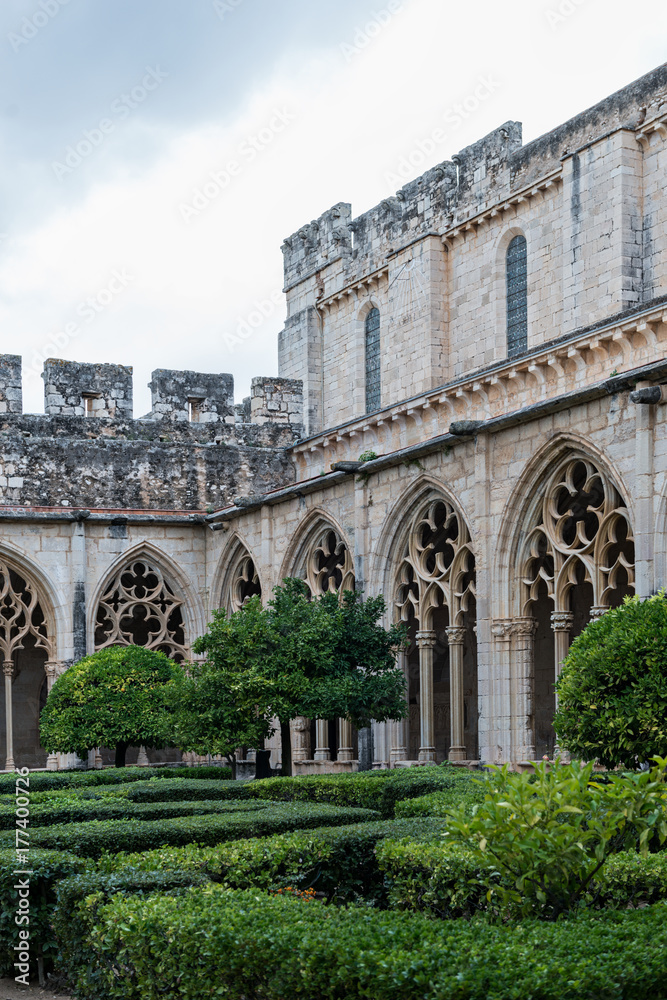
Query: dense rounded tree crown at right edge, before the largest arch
{"type": "Point", "coordinates": [612, 691]}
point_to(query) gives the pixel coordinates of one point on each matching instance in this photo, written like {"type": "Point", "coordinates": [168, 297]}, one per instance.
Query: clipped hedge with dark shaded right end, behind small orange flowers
{"type": "Point", "coordinates": [337, 861]}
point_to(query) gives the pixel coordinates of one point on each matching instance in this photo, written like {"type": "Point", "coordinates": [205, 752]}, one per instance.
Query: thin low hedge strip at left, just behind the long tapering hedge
{"type": "Point", "coordinates": [73, 810]}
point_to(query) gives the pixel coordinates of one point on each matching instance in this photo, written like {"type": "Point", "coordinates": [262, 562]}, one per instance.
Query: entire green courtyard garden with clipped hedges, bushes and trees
{"type": "Point", "coordinates": [418, 883]}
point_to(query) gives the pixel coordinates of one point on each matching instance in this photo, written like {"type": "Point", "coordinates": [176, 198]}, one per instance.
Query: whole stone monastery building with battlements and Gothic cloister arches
{"type": "Point", "coordinates": [492, 340]}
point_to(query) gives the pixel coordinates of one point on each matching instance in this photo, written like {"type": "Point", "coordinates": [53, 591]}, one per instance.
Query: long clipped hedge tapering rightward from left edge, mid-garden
{"type": "Point", "coordinates": [93, 838]}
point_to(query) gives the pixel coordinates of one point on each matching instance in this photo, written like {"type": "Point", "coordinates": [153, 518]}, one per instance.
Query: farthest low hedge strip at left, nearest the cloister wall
{"type": "Point", "coordinates": [41, 781]}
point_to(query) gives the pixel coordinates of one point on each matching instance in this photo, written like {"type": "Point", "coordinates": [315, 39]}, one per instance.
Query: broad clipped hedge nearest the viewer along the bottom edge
{"type": "Point", "coordinates": [212, 942]}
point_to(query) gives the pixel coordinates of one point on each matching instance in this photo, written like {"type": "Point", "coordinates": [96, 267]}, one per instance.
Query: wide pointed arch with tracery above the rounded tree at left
{"type": "Point", "coordinates": [168, 593]}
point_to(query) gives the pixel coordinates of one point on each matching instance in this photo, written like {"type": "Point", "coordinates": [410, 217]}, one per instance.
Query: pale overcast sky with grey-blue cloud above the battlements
{"type": "Point", "coordinates": [155, 153]}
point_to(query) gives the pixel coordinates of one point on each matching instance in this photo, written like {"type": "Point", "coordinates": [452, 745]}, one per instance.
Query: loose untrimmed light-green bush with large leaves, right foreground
{"type": "Point", "coordinates": [549, 834]}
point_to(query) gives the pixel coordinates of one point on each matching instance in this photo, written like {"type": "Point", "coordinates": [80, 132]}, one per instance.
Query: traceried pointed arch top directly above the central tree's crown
{"type": "Point", "coordinates": [320, 554]}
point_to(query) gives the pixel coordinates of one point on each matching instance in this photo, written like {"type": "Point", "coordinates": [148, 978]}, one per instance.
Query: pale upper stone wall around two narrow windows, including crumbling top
{"type": "Point", "coordinates": [589, 199]}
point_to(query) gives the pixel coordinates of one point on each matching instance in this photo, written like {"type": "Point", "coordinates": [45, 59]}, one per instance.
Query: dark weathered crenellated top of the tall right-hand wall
{"type": "Point", "coordinates": [475, 179]}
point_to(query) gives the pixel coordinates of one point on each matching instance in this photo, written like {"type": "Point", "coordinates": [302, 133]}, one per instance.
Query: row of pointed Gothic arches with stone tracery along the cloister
{"type": "Point", "coordinates": [566, 557]}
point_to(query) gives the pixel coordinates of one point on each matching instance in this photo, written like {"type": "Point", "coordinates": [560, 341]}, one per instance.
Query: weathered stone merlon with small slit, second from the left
{"type": "Point", "coordinates": [75, 389]}
